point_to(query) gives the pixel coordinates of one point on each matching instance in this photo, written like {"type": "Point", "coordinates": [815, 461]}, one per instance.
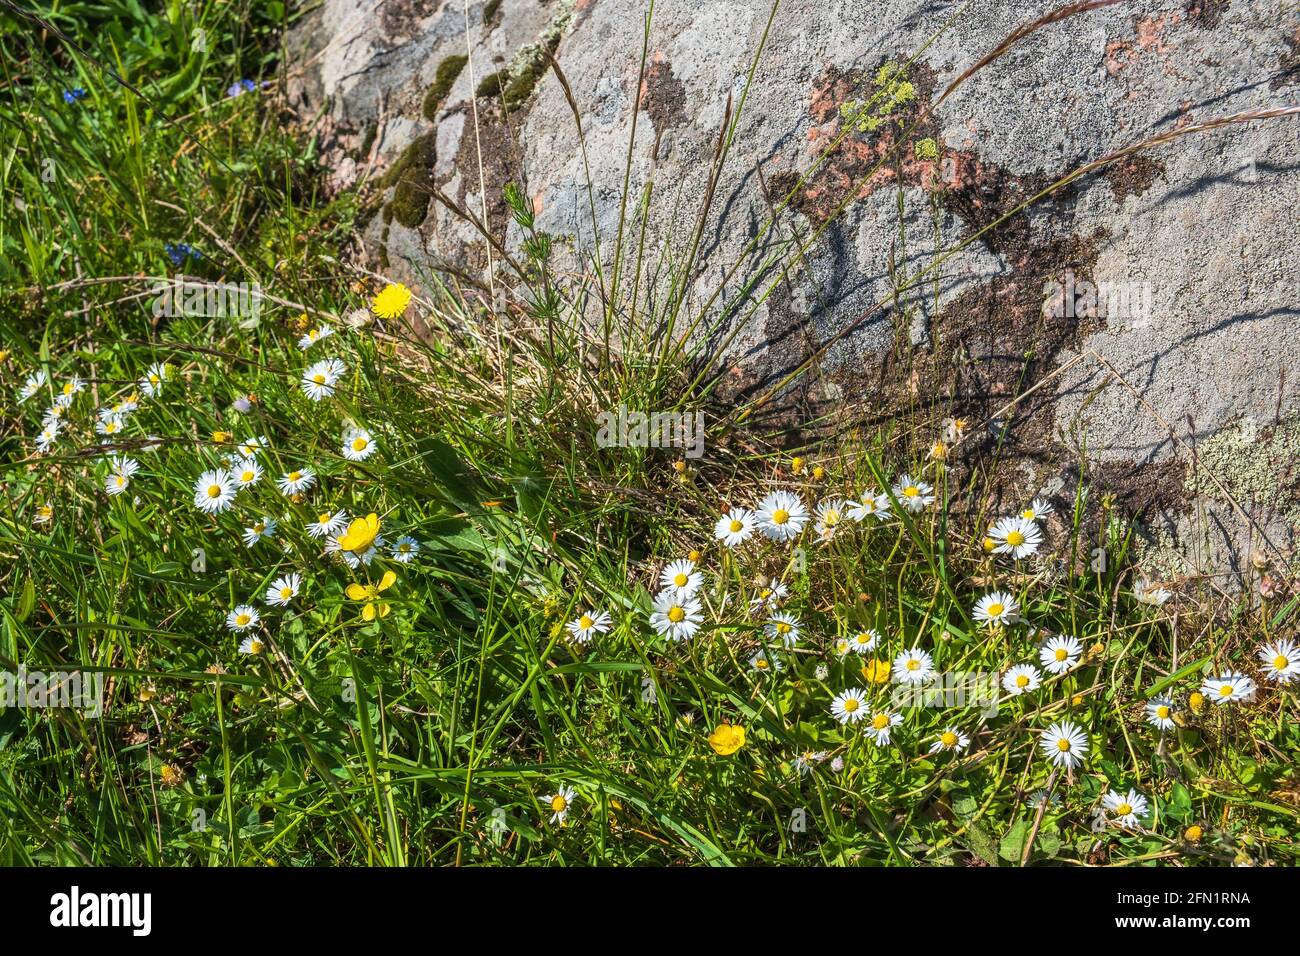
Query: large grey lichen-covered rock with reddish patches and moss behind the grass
{"type": "Point", "coordinates": [1191, 244]}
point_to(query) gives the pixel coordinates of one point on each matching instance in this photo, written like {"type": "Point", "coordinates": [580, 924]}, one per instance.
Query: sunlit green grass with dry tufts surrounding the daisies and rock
{"type": "Point", "coordinates": [411, 739]}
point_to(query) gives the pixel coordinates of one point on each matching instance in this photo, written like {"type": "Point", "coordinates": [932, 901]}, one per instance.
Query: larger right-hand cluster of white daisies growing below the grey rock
{"type": "Point", "coordinates": [783, 518]}
